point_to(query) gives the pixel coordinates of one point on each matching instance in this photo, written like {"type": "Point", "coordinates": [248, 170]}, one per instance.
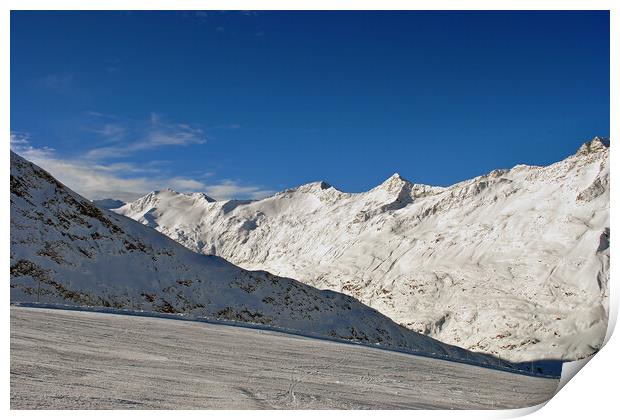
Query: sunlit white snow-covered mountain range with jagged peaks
{"type": "Point", "coordinates": [513, 263]}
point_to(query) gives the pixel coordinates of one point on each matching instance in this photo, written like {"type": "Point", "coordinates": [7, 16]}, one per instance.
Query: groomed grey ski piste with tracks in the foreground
{"type": "Point", "coordinates": [84, 360]}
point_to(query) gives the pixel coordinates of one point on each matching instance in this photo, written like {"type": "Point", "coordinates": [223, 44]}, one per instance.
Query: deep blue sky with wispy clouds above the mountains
{"type": "Point", "coordinates": [241, 104]}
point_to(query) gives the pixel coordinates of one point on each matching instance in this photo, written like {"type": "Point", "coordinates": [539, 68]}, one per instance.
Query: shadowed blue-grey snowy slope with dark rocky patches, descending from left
{"type": "Point", "coordinates": [66, 250]}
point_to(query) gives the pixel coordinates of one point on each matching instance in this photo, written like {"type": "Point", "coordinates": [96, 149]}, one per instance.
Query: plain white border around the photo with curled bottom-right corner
{"type": "Point", "coordinates": [592, 393]}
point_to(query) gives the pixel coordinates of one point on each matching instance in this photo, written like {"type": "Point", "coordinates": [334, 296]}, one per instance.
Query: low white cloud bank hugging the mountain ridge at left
{"type": "Point", "coordinates": [125, 181]}
